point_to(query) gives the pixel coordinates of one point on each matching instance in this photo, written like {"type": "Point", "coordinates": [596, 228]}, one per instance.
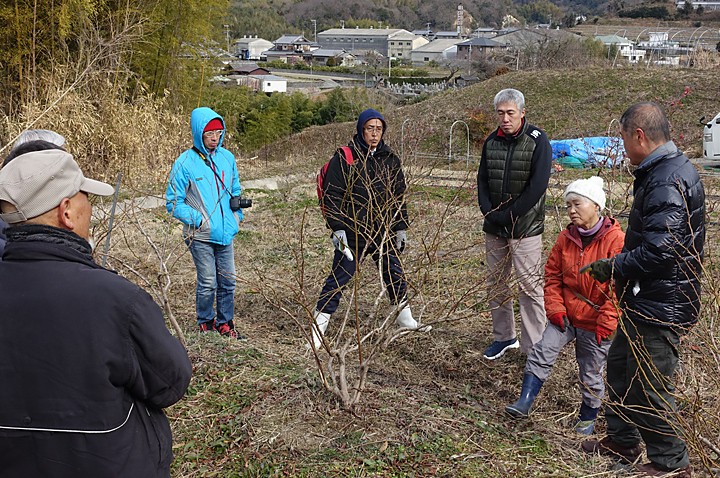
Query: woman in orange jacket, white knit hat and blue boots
{"type": "Point", "coordinates": [578, 307]}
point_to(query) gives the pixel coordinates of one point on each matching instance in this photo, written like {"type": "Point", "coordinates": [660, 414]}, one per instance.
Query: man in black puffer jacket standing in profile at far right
{"type": "Point", "coordinates": [657, 279]}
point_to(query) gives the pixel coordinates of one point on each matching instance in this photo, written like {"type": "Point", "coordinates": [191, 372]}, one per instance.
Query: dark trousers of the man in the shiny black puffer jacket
{"type": "Point", "coordinates": [641, 362]}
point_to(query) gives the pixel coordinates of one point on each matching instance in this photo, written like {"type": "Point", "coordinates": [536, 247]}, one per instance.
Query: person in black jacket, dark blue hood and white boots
{"type": "Point", "coordinates": [365, 209]}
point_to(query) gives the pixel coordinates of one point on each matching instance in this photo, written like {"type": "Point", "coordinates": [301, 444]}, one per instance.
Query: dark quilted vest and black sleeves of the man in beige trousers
{"type": "Point", "coordinates": [512, 181]}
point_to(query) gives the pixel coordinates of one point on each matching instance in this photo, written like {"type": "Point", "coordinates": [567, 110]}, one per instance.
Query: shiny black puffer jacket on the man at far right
{"type": "Point", "coordinates": [658, 272]}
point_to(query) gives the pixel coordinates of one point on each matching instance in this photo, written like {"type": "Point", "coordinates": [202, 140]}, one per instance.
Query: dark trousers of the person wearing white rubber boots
{"type": "Point", "coordinates": [343, 270]}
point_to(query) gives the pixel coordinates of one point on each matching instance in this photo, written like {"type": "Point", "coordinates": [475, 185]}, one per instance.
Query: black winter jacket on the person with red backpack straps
{"type": "Point", "coordinates": [367, 198]}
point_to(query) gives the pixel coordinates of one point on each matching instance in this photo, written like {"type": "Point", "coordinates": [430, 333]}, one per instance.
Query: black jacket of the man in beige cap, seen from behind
{"type": "Point", "coordinates": [86, 365]}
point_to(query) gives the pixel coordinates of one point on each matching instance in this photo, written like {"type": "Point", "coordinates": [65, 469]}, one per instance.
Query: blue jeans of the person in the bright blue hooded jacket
{"type": "Point", "coordinates": [215, 266]}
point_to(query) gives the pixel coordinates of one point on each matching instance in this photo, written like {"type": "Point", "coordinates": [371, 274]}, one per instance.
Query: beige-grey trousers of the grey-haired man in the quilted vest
{"type": "Point", "coordinates": [525, 255]}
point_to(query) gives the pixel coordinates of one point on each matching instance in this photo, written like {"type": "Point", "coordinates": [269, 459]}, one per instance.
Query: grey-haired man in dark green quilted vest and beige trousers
{"type": "Point", "coordinates": [512, 180]}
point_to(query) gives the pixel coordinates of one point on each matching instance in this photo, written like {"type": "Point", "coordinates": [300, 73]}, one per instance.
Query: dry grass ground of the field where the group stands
{"type": "Point", "coordinates": [433, 406]}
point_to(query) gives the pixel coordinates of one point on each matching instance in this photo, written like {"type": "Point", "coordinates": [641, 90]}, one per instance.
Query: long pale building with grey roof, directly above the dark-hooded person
{"type": "Point", "coordinates": [394, 42]}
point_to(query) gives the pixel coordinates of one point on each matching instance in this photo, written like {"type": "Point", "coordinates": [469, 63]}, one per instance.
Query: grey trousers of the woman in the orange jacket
{"type": "Point", "coordinates": [590, 356]}
